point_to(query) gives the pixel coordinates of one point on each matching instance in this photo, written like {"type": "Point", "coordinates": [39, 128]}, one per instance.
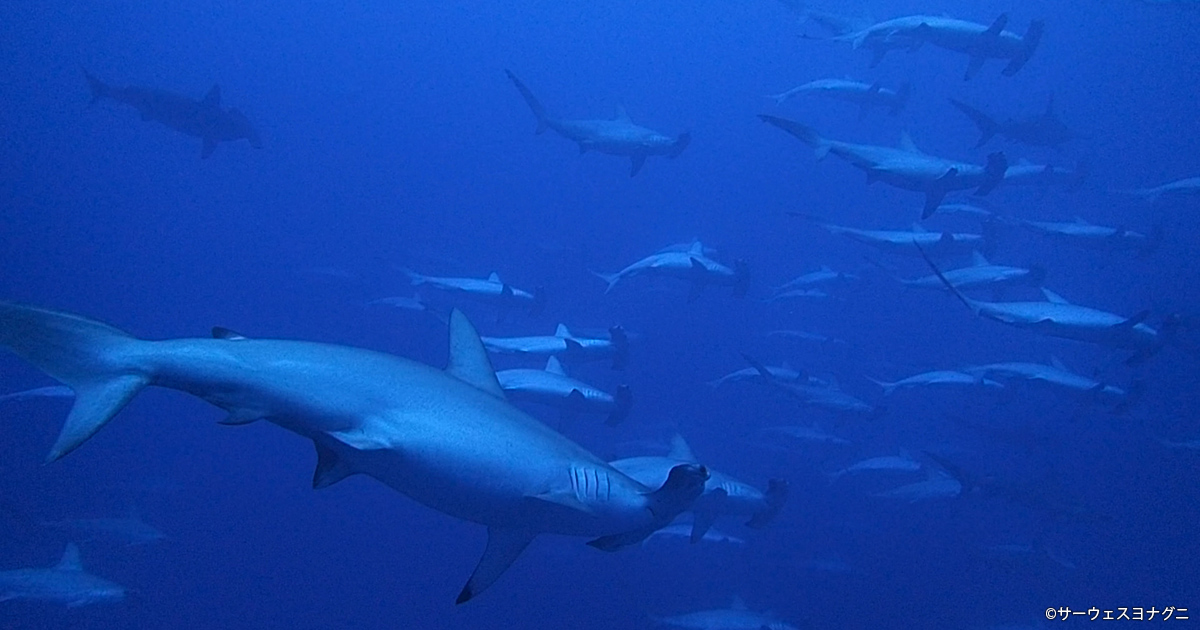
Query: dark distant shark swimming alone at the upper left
{"type": "Point", "coordinates": [205, 119]}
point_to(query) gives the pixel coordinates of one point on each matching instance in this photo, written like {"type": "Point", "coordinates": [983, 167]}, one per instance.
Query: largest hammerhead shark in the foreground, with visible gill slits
{"type": "Point", "coordinates": [448, 439]}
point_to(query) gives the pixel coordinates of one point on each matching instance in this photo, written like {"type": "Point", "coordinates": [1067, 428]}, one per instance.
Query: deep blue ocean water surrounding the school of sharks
{"type": "Point", "coordinates": [393, 139]}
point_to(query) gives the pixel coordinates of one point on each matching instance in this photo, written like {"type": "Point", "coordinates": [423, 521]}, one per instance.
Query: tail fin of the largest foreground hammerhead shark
{"type": "Point", "coordinates": [93, 359]}
